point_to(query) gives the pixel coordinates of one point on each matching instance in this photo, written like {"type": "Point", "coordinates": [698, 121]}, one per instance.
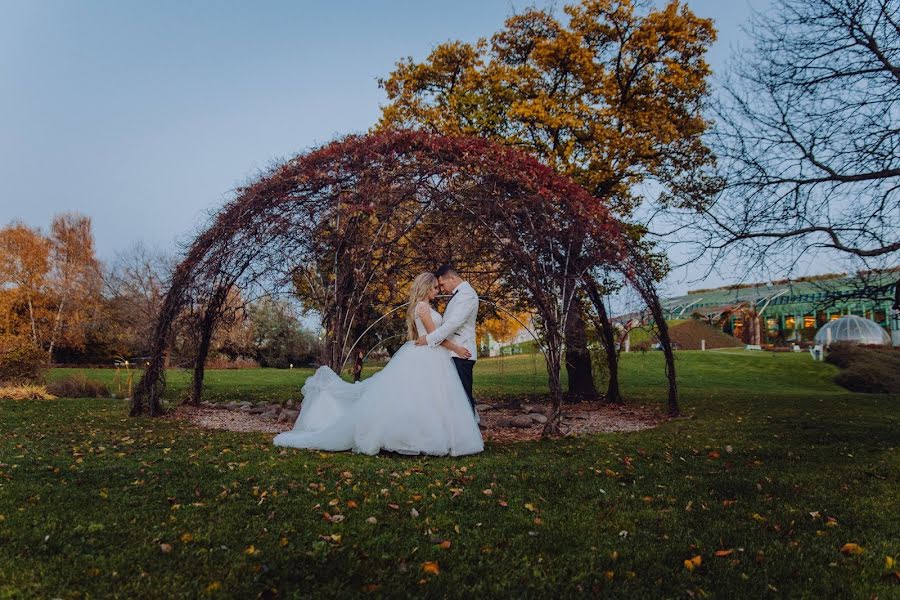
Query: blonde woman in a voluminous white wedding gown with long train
{"type": "Point", "coordinates": [416, 404]}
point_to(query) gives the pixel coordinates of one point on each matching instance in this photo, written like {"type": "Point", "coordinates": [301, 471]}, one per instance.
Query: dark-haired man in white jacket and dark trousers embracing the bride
{"type": "Point", "coordinates": [459, 324]}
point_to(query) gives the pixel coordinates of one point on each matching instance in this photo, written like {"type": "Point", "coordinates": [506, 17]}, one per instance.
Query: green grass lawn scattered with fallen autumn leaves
{"type": "Point", "coordinates": [777, 470]}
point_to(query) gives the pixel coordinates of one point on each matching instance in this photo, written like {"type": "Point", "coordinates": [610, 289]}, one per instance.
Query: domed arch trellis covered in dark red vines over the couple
{"type": "Point", "coordinates": [347, 224]}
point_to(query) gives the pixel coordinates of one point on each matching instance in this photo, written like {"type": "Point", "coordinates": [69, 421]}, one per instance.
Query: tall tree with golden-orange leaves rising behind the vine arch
{"type": "Point", "coordinates": [612, 99]}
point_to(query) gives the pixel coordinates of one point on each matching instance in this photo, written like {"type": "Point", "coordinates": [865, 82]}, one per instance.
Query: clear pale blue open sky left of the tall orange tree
{"type": "Point", "coordinates": [144, 115]}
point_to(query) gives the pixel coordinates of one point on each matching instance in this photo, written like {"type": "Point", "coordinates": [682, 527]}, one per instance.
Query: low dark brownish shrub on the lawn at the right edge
{"type": "Point", "coordinates": [865, 369]}
